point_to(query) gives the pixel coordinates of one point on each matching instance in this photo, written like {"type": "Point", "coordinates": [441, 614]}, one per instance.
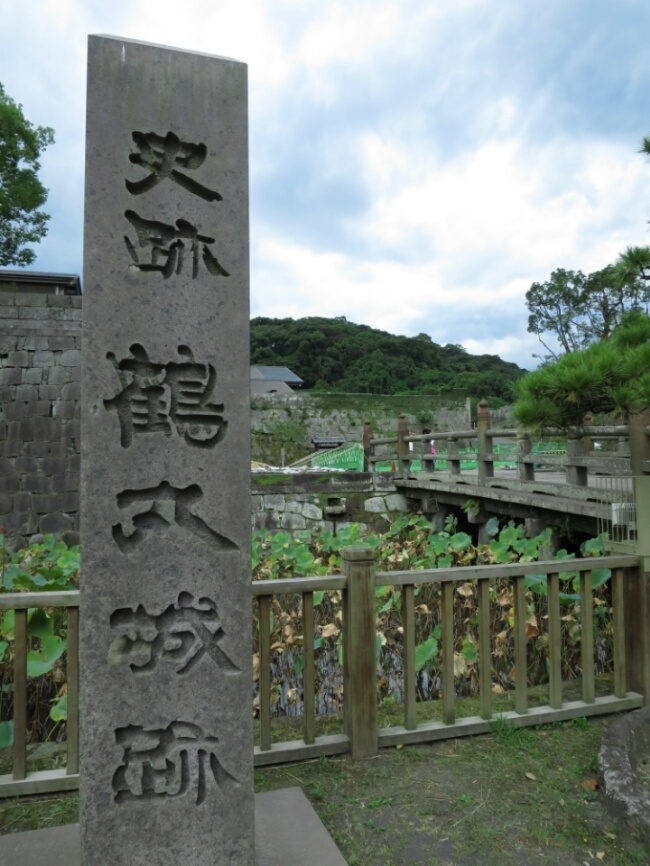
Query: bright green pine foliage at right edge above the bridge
{"type": "Point", "coordinates": [606, 377]}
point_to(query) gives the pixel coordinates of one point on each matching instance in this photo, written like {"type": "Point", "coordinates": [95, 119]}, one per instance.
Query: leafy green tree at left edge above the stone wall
{"type": "Point", "coordinates": [21, 192]}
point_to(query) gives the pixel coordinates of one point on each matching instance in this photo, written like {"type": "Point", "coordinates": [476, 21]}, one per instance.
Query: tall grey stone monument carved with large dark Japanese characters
{"type": "Point", "coordinates": [166, 739]}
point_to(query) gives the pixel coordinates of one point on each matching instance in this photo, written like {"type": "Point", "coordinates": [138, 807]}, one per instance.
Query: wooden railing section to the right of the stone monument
{"type": "Point", "coordinates": [362, 736]}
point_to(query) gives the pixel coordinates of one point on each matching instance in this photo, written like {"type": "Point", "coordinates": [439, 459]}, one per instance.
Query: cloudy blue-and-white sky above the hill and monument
{"type": "Point", "coordinates": [415, 165]}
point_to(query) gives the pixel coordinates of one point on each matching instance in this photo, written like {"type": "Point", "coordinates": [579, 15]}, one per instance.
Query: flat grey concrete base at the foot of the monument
{"type": "Point", "coordinates": [288, 832]}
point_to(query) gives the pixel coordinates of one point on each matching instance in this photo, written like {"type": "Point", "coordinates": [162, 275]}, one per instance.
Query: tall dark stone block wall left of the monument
{"type": "Point", "coordinates": [40, 357]}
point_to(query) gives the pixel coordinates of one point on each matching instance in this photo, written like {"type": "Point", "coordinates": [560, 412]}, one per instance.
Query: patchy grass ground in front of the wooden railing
{"type": "Point", "coordinates": [515, 797]}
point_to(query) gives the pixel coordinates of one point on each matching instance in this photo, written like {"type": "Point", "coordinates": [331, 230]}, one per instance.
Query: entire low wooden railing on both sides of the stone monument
{"type": "Point", "coordinates": [361, 735]}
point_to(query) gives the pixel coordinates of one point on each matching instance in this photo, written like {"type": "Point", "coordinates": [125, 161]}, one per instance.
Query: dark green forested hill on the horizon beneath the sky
{"type": "Point", "coordinates": [337, 355]}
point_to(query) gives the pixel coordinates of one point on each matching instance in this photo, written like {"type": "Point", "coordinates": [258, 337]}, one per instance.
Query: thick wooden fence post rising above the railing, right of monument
{"type": "Point", "coordinates": [359, 654]}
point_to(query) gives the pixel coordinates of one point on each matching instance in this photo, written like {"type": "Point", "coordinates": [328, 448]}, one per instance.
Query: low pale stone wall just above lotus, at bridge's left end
{"type": "Point", "coordinates": [308, 503]}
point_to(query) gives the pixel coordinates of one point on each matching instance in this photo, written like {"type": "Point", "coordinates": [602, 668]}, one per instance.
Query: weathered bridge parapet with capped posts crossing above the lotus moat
{"type": "Point", "coordinates": [583, 473]}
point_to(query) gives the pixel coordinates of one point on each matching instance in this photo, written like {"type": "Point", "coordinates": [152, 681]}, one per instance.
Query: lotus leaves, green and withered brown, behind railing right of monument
{"type": "Point", "coordinates": [410, 544]}
